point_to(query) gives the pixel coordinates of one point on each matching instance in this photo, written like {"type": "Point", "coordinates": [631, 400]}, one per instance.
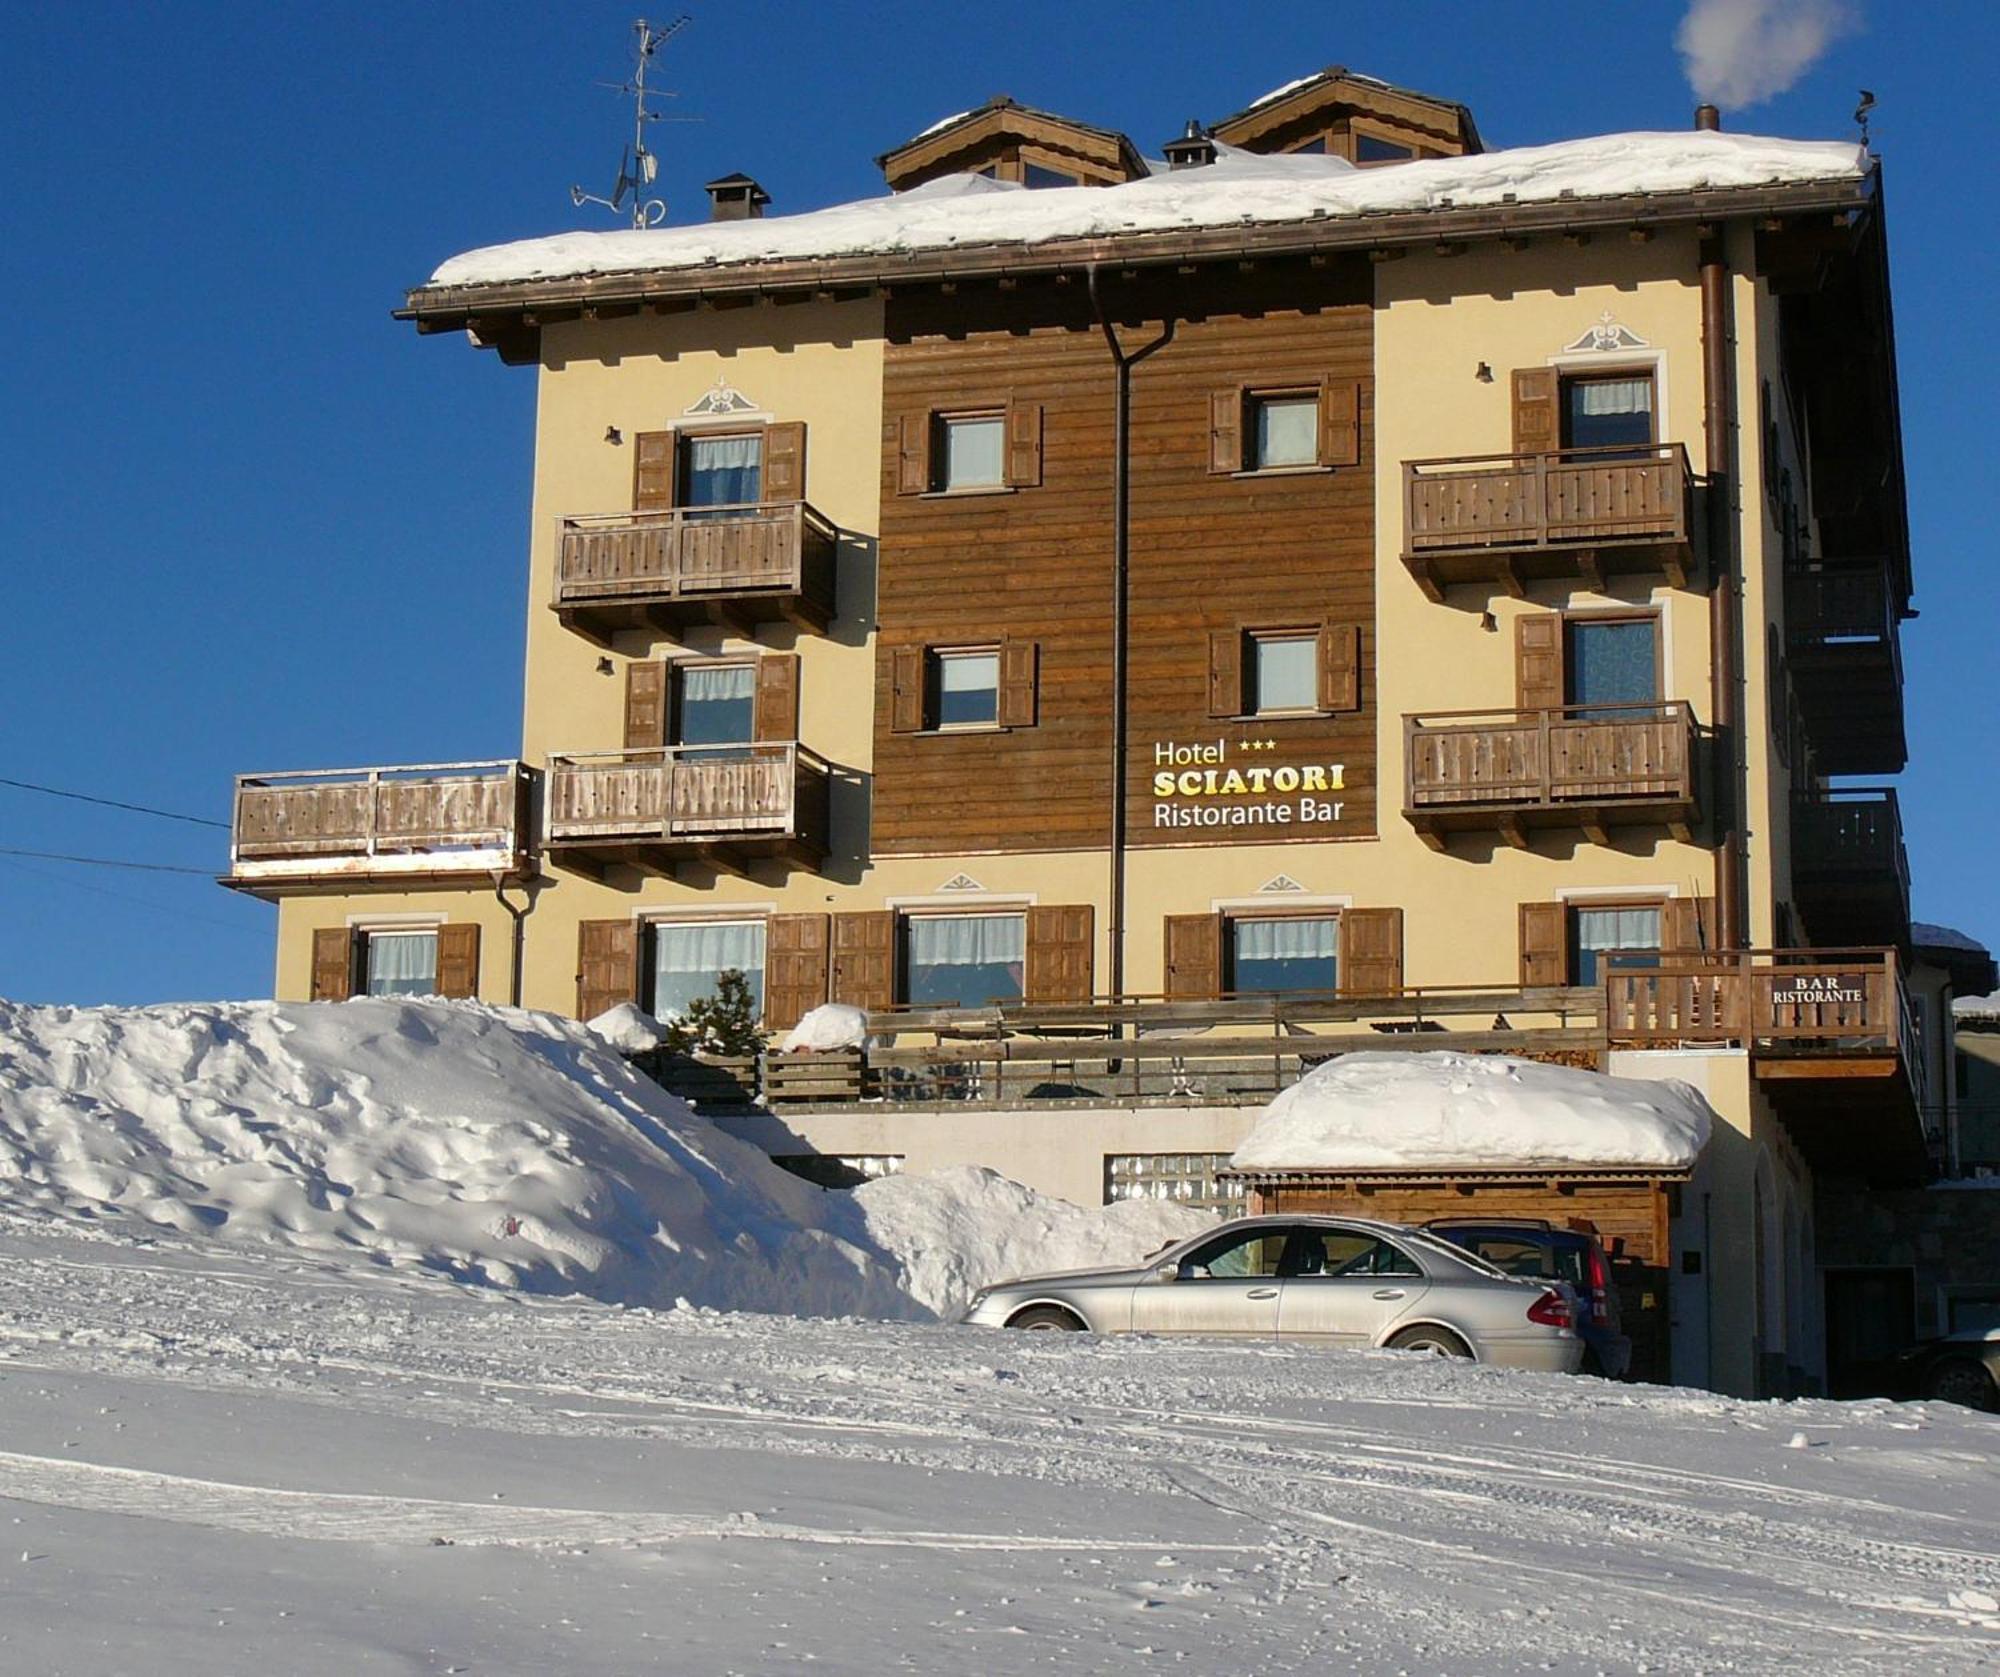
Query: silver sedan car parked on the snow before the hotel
{"type": "Point", "coordinates": [1321, 1280]}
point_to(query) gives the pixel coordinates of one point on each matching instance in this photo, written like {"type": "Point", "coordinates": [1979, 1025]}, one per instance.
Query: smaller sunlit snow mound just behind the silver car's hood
{"type": "Point", "coordinates": [961, 1230]}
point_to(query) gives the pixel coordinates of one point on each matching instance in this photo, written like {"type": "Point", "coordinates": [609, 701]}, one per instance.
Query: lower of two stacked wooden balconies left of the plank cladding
{"type": "Point", "coordinates": [719, 805]}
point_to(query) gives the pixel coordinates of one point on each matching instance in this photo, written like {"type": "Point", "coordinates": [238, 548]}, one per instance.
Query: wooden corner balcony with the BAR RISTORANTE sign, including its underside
{"type": "Point", "coordinates": [1831, 1036]}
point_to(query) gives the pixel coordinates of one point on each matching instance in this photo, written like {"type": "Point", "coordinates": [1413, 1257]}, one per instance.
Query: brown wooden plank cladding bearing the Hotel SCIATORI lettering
{"type": "Point", "coordinates": [1217, 557]}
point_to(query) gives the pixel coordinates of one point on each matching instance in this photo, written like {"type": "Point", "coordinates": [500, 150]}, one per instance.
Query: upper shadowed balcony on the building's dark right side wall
{"type": "Point", "coordinates": [1843, 643]}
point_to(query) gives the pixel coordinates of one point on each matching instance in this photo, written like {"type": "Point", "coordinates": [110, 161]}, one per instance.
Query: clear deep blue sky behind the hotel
{"type": "Point", "coordinates": [253, 523]}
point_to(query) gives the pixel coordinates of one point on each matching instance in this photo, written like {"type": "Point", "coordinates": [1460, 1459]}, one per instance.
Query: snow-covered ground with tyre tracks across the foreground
{"type": "Point", "coordinates": [255, 1462]}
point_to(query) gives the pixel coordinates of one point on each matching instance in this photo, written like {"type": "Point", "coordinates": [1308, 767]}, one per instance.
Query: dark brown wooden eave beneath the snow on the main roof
{"type": "Point", "coordinates": [509, 315]}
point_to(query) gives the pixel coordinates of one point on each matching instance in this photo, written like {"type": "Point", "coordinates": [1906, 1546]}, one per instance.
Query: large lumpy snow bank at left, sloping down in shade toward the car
{"type": "Point", "coordinates": [485, 1144]}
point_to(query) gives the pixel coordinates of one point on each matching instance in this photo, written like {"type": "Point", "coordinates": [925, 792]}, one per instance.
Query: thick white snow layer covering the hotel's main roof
{"type": "Point", "coordinates": [1241, 189]}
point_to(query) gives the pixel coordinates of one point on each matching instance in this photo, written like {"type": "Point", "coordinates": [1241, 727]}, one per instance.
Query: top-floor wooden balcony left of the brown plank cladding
{"type": "Point", "coordinates": [735, 565]}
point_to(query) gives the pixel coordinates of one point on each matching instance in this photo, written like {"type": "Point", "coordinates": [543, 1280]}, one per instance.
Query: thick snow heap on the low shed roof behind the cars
{"type": "Point", "coordinates": [1393, 1110]}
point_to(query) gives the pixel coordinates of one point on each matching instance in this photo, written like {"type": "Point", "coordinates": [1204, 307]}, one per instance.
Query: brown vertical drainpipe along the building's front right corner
{"type": "Point", "coordinates": [1725, 609]}
